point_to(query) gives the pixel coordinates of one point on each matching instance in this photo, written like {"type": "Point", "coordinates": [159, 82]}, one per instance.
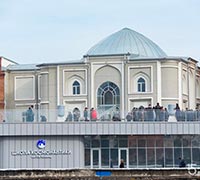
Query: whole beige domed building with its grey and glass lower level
{"type": "Point", "coordinates": [125, 99]}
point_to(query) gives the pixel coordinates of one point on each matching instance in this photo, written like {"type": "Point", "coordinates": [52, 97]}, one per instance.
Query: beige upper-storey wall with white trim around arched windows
{"type": "Point", "coordinates": [53, 90]}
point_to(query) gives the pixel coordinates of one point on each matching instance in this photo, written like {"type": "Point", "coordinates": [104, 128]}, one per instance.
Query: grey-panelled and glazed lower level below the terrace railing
{"type": "Point", "coordinates": [98, 145]}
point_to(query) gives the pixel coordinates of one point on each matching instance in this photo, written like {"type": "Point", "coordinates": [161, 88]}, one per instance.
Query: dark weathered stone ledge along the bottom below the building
{"type": "Point", "coordinates": [90, 174]}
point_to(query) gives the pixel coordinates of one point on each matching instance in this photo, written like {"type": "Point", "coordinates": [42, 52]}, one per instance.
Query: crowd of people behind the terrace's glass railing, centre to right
{"type": "Point", "coordinates": [156, 113]}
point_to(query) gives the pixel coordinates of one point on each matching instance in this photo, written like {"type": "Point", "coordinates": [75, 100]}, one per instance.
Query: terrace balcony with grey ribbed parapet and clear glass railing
{"type": "Point", "coordinates": [14, 122]}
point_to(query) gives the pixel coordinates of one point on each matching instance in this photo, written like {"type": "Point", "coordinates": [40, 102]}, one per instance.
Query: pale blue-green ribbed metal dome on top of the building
{"type": "Point", "coordinates": [127, 41]}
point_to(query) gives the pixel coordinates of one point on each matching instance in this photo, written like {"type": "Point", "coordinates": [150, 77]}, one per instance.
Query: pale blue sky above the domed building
{"type": "Point", "coordinates": [43, 31]}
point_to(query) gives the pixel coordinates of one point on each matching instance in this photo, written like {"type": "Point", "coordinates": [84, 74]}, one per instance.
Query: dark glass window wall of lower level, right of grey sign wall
{"type": "Point", "coordinates": [142, 151]}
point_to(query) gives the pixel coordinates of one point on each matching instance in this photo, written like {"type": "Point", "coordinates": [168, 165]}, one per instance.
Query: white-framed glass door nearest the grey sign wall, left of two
{"type": "Point", "coordinates": [95, 158]}
